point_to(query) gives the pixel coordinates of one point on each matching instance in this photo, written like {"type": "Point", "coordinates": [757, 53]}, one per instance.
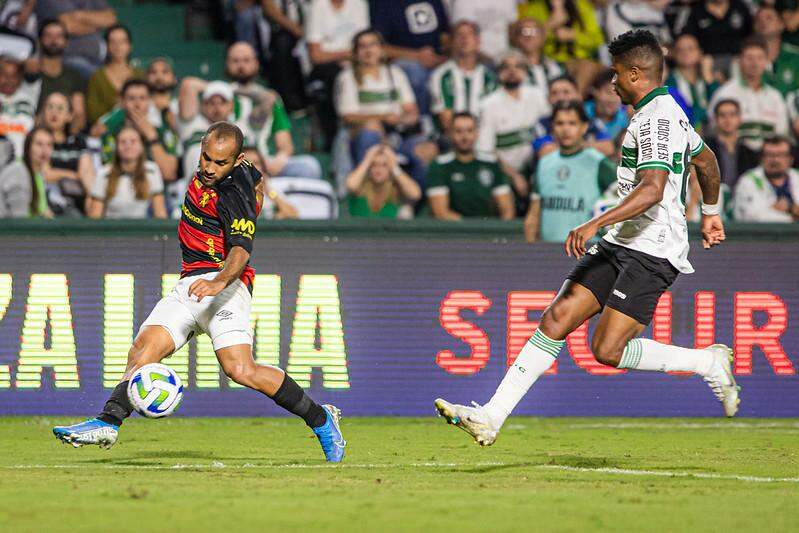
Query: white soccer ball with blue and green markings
{"type": "Point", "coordinates": [155, 390]}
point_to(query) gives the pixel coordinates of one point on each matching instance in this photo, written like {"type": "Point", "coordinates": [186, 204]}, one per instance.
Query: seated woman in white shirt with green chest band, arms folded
{"type": "Point", "coordinates": [376, 103]}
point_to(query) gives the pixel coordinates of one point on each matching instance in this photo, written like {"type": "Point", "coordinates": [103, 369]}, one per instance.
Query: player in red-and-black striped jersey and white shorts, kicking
{"type": "Point", "coordinates": [213, 296]}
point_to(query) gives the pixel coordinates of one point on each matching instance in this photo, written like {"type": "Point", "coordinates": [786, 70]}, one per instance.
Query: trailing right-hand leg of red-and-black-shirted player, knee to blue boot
{"type": "Point", "coordinates": [237, 362]}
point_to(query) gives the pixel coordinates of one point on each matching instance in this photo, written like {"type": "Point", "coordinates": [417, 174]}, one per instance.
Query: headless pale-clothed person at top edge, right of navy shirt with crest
{"type": "Point", "coordinates": [494, 20]}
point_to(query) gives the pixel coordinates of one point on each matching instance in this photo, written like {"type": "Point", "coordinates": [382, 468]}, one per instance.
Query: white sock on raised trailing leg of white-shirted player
{"type": "Point", "coordinates": [646, 354]}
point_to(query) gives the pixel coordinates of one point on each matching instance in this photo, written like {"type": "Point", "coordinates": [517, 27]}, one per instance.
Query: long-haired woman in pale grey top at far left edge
{"type": "Point", "coordinates": [22, 186]}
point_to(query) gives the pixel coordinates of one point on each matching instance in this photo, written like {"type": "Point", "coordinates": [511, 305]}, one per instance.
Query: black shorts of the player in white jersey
{"type": "Point", "coordinates": [626, 280]}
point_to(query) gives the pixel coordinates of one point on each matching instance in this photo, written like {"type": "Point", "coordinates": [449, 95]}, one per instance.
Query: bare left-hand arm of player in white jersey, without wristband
{"type": "Point", "coordinates": [648, 192]}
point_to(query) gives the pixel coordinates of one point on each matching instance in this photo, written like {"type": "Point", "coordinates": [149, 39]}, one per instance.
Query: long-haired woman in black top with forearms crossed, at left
{"type": "Point", "coordinates": [71, 171]}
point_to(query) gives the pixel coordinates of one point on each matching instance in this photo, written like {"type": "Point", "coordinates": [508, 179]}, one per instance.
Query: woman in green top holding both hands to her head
{"type": "Point", "coordinates": [378, 188]}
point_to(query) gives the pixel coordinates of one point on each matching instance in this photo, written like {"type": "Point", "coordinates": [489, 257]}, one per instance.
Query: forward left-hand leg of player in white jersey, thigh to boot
{"type": "Point", "coordinates": [570, 308]}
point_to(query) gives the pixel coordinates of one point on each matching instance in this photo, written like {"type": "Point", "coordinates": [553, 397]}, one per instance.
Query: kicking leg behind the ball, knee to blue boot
{"type": "Point", "coordinates": [152, 344]}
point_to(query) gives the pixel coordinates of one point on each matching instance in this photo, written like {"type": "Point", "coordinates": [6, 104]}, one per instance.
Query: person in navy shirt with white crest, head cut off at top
{"type": "Point", "coordinates": [415, 33]}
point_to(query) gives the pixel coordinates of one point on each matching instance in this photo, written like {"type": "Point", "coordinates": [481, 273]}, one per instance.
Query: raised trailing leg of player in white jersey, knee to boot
{"type": "Point", "coordinates": [614, 344]}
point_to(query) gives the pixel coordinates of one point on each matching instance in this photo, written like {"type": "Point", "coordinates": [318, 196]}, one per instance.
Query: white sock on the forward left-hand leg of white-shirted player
{"type": "Point", "coordinates": [535, 358]}
